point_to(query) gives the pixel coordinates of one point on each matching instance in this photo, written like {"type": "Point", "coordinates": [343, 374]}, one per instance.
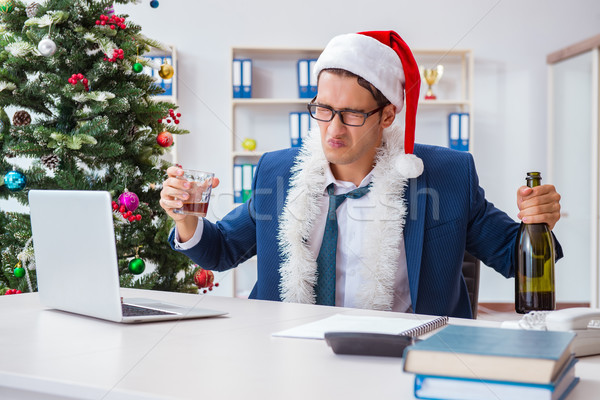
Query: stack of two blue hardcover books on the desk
{"type": "Point", "coordinates": [467, 362]}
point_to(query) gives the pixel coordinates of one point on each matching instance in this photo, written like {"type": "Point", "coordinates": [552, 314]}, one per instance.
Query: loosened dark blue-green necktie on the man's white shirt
{"type": "Point", "coordinates": [326, 259]}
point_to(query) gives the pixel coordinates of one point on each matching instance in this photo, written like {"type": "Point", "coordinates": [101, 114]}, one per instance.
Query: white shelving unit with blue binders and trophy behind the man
{"type": "Point", "coordinates": [265, 116]}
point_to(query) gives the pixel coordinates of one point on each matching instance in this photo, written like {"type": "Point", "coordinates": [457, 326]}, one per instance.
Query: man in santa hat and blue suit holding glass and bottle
{"type": "Point", "coordinates": [360, 216]}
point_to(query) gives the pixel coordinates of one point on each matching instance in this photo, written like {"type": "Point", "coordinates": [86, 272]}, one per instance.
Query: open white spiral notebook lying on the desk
{"type": "Point", "coordinates": [415, 326]}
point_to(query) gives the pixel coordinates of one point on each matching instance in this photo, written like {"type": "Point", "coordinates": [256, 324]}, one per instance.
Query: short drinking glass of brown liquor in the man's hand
{"type": "Point", "coordinates": [199, 192]}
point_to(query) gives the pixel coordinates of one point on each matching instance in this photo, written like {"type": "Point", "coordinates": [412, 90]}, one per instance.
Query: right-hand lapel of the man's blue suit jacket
{"type": "Point", "coordinates": [413, 232]}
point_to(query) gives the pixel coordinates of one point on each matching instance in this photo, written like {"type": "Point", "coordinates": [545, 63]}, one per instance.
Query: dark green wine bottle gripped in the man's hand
{"type": "Point", "coordinates": [534, 274]}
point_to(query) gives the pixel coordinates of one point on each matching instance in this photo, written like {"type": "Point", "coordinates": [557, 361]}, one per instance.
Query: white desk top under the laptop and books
{"type": "Point", "coordinates": [47, 354]}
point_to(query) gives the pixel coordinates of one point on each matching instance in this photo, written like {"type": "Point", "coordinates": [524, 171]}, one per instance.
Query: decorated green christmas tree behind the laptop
{"type": "Point", "coordinates": [86, 117]}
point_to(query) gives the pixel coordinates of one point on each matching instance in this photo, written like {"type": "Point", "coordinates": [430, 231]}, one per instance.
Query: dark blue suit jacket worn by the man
{"type": "Point", "coordinates": [447, 213]}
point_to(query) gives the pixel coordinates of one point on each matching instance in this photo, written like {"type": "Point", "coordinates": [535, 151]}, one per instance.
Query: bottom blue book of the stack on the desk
{"type": "Point", "coordinates": [450, 388]}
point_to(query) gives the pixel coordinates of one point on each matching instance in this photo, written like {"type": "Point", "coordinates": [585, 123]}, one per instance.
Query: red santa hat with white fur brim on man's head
{"type": "Point", "coordinates": [385, 61]}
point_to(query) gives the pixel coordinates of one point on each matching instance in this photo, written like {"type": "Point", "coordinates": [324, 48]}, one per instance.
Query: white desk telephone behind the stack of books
{"type": "Point", "coordinates": [584, 322]}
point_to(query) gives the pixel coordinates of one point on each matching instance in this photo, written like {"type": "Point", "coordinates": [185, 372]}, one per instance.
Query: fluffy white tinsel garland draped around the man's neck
{"type": "Point", "coordinates": [392, 170]}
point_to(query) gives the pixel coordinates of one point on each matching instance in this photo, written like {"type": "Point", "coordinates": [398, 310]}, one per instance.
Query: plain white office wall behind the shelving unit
{"type": "Point", "coordinates": [510, 40]}
